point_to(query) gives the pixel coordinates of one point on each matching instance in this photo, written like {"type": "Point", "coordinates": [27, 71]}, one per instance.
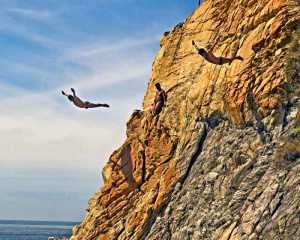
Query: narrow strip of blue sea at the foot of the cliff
{"type": "Point", "coordinates": [34, 230]}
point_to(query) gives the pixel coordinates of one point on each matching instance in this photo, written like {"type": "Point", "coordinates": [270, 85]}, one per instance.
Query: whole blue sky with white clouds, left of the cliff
{"type": "Point", "coordinates": [51, 153]}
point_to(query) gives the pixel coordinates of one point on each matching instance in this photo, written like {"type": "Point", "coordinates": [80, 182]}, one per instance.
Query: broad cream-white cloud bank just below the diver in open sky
{"type": "Point", "coordinates": [51, 136]}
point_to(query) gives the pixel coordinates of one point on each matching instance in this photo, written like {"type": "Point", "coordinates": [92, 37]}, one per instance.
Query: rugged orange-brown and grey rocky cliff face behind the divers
{"type": "Point", "coordinates": [222, 159]}
